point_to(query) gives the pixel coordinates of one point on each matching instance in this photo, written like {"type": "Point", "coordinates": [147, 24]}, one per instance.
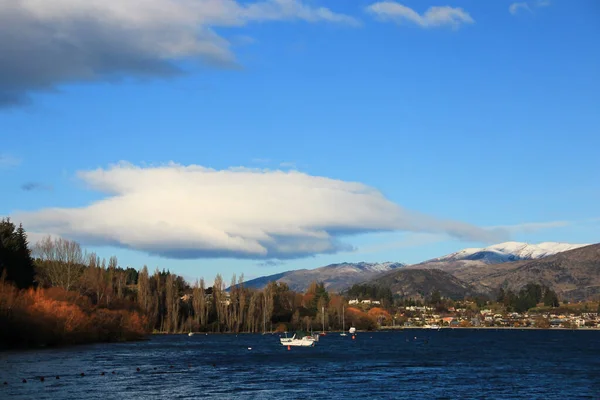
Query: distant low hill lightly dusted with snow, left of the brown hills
{"type": "Point", "coordinates": [335, 276]}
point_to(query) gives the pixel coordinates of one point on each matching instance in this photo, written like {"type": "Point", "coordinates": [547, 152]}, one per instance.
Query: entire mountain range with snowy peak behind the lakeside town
{"type": "Point", "coordinates": [572, 270]}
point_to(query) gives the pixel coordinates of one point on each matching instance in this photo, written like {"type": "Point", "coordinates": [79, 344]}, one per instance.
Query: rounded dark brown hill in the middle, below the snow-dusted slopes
{"type": "Point", "coordinates": [417, 283]}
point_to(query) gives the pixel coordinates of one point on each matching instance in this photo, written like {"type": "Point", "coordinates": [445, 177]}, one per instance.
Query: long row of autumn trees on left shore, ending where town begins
{"type": "Point", "coordinates": [58, 274]}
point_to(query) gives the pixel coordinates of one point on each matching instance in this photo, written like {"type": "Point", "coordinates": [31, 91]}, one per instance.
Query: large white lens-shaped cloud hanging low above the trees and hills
{"type": "Point", "coordinates": [193, 212]}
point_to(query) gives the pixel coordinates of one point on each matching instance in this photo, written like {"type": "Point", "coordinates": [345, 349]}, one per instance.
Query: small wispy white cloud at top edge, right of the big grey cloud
{"type": "Point", "coordinates": [433, 17]}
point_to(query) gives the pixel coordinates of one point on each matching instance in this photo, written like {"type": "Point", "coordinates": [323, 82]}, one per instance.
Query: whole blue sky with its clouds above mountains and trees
{"type": "Point", "coordinates": [483, 113]}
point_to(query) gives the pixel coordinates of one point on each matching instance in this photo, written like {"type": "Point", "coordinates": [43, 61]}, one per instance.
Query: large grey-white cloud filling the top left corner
{"type": "Point", "coordinates": [45, 43]}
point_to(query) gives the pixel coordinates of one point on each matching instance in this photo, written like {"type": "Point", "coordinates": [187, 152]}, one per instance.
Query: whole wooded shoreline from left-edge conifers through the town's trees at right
{"type": "Point", "coordinates": [56, 293]}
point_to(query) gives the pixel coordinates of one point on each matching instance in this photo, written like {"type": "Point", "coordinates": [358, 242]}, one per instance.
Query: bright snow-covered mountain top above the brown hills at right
{"type": "Point", "coordinates": [509, 251]}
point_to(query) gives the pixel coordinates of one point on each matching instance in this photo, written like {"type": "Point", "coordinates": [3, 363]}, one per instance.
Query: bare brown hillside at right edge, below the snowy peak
{"type": "Point", "coordinates": [573, 274]}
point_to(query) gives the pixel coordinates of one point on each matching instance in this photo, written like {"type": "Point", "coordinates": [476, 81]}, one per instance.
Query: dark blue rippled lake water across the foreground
{"type": "Point", "coordinates": [416, 364]}
